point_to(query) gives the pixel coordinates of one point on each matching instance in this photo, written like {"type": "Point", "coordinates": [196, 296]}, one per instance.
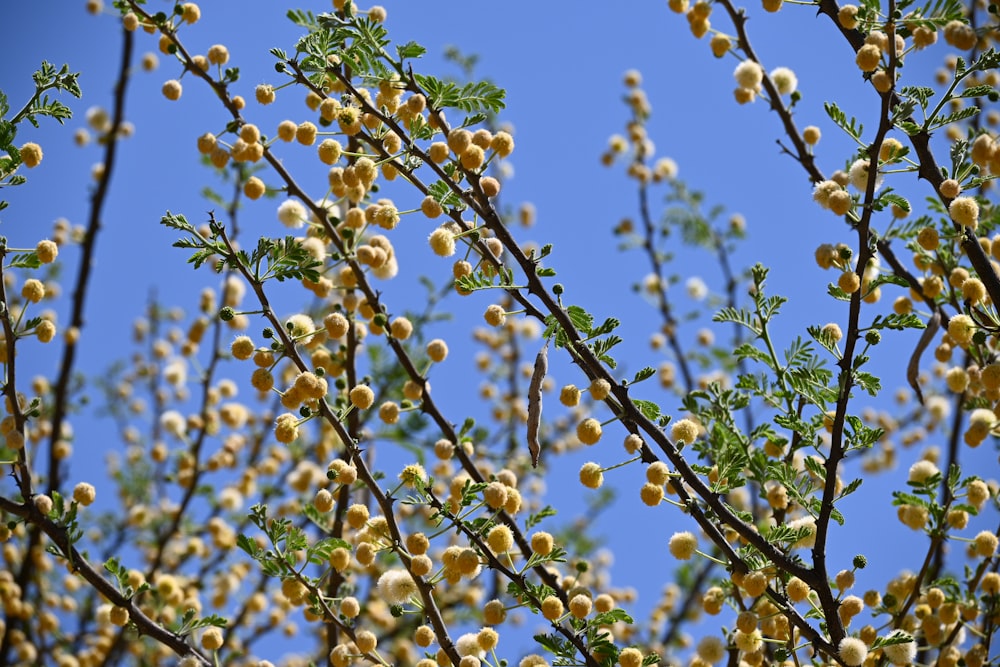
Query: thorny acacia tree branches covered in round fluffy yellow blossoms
{"type": "Point", "coordinates": [249, 500]}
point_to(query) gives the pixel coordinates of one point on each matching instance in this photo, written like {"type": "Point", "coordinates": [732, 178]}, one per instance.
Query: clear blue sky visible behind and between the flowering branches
{"type": "Point", "coordinates": [561, 64]}
